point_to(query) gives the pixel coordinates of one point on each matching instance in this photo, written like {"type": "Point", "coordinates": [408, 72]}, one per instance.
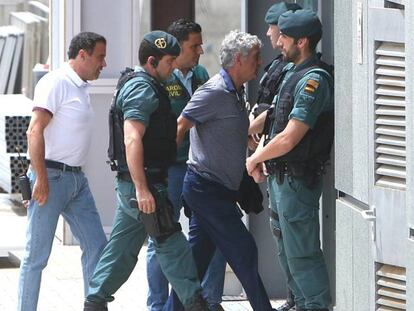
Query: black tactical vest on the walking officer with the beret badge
{"type": "Point", "coordinates": [159, 139]}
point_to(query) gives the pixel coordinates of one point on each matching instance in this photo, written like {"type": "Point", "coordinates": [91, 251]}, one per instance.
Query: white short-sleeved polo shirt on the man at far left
{"type": "Point", "coordinates": [65, 96]}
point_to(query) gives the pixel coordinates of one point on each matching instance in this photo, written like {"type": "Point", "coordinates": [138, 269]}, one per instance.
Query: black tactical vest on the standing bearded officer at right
{"type": "Point", "coordinates": [315, 146]}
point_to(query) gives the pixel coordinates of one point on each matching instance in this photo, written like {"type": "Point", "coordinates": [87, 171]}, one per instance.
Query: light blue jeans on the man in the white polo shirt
{"type": "Point", "coordinates": [69, 196]}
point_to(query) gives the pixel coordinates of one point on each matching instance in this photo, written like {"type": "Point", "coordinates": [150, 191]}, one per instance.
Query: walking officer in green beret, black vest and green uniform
{"type": "Point", "coordinates": [148, 147]}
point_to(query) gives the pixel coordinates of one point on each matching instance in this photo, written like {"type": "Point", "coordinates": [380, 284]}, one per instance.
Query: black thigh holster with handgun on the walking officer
{"type": "Point", "coordinates": [159, 224]}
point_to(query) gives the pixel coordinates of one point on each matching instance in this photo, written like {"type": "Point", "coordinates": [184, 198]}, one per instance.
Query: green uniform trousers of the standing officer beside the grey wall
{"type": "Point", "coordinates": [297, 235]}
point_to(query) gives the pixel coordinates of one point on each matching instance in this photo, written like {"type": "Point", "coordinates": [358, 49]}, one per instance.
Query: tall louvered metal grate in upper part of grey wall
{"type": "Point", "coordinates": [390, 123]}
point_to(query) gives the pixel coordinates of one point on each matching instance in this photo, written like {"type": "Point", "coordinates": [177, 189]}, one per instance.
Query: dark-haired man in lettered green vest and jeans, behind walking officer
{"type": "Point", "coordinates": [186, 77]}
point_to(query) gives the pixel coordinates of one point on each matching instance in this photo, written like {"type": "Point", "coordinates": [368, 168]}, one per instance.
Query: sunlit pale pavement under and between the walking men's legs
{"type": "Point", "coordinates": [62, 287]}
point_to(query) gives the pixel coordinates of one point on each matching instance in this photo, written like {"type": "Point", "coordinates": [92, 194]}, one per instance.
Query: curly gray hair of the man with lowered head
{"type": "Point", "coordinates": [237, 42]}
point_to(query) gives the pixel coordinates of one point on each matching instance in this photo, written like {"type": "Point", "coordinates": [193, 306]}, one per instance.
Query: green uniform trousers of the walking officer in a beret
{"type": "Point", "coordinates": [120, 256]}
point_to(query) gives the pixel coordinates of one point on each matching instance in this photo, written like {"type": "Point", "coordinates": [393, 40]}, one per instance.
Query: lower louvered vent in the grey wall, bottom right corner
{"type": "Point", "coordinates": [391, 288]}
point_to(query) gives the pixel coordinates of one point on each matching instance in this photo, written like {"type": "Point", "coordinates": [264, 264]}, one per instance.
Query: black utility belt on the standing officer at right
{"type": "Point", "coordinates": [311, 172]}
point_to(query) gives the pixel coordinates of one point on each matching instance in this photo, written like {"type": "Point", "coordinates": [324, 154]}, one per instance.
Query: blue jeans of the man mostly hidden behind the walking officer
{"type": "Point", "coordinates": [213, 282]}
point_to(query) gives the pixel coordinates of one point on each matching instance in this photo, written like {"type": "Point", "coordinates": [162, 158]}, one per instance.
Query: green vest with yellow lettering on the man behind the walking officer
{"type": "Point", "coordinates": [179, 97]}
